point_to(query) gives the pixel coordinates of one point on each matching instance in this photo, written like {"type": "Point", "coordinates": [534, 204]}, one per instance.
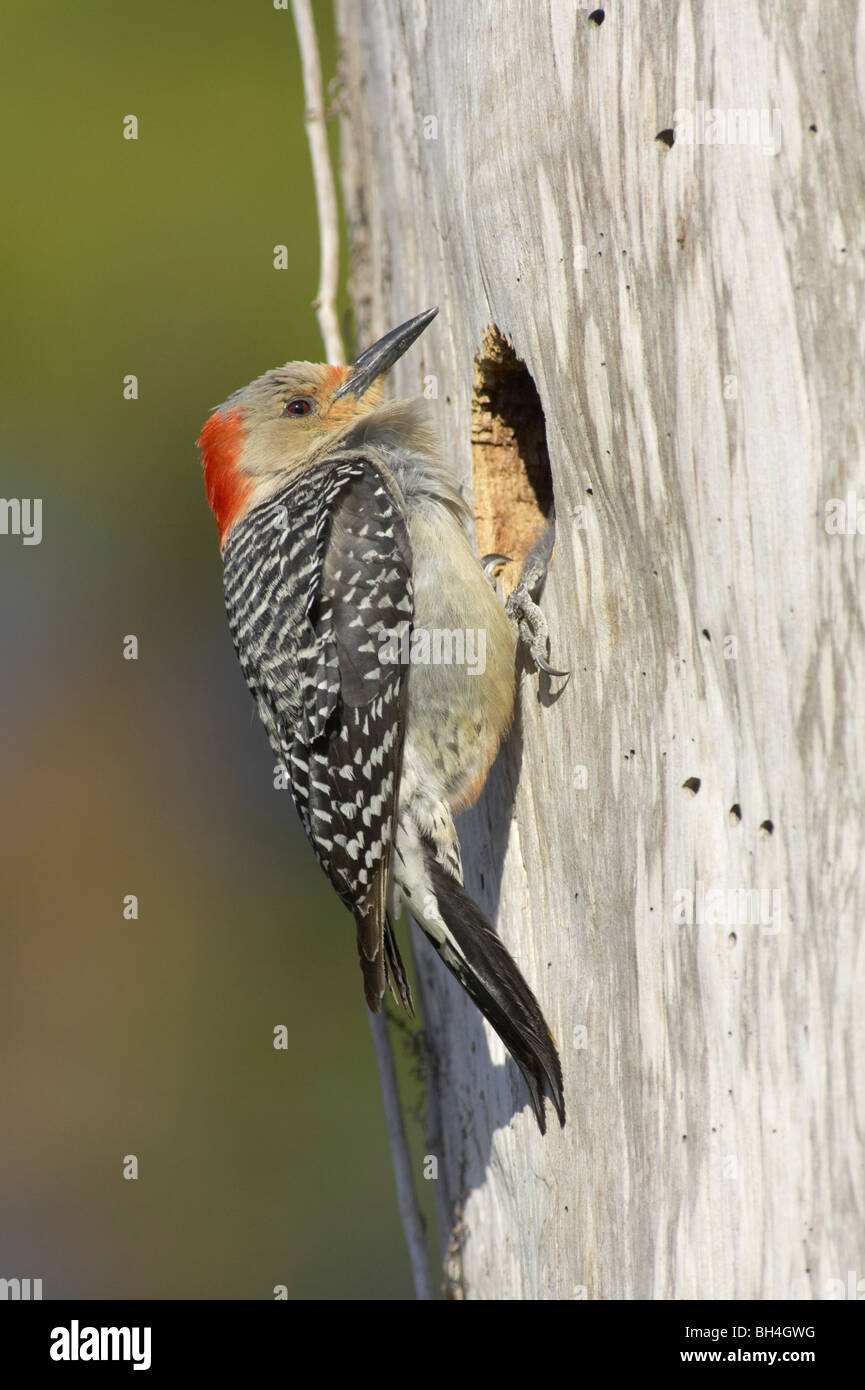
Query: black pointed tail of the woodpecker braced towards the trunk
{"type": "Point", "coordinates": [490, 976]}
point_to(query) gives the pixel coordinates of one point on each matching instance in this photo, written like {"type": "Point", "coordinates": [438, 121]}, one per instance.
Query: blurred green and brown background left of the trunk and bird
{"type": "Point", "coordinates": [154, 778]}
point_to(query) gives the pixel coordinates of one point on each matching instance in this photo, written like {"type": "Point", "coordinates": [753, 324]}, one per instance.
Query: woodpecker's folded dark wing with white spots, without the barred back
{"type": "Point", "coordinates": [351, 730]}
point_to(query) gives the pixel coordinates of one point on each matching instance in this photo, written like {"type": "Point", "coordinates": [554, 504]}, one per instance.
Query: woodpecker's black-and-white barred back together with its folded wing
{"type": "Point", "coordinates": [314, 582]}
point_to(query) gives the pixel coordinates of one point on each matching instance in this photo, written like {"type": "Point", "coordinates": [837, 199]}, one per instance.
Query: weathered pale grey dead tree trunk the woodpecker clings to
{"type": "Point", "coordinates": [693, 320]}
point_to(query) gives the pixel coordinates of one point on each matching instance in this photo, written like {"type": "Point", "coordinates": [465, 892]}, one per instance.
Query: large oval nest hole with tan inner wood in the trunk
{"type": "Point", "coordinates": [510, 461]}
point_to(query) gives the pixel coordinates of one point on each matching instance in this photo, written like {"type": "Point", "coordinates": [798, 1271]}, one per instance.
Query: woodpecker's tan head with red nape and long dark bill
{"type": "Point", "coordinates": [287, 420]}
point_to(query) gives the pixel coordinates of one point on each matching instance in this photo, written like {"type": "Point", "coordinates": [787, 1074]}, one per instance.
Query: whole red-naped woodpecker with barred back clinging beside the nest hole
{"type": "Point", "coordinates": [343, 533]}
